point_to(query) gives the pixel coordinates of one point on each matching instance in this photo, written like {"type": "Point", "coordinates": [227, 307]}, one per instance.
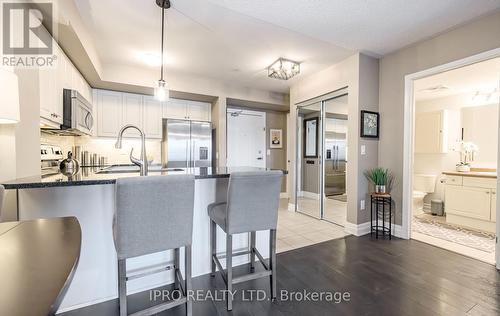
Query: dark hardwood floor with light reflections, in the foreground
{"type": "Point", "coordinates": [397, 277]}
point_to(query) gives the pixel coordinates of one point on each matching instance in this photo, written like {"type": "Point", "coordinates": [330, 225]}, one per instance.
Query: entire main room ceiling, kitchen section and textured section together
{"type": "Point", "coordinates": [234, 41]}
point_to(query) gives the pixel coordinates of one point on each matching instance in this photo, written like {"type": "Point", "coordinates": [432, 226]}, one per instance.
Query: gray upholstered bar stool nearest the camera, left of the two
{"type": "Point", "coordinates": [154, 214]}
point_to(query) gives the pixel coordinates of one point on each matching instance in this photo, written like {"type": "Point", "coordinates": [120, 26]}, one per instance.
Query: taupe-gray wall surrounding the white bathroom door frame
{"type": "Point", "coordinates": [467, 40]}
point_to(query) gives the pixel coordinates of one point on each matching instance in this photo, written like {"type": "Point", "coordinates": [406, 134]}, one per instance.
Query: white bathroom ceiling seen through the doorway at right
{"type": "Point", "coordinates": [483, 77]}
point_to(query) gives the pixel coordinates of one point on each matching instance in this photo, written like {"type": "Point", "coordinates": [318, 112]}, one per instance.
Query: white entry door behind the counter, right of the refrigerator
{"type": "Point", "coordinates": [246, 138]}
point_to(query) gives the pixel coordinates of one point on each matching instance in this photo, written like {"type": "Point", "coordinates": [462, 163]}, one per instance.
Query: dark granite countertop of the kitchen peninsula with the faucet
{"type": "Point", "coordinates": [92, 176]}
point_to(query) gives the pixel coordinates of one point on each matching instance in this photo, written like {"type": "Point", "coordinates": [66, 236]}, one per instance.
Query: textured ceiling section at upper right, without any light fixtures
{"type": "Point", "coordinates": [373, 26]}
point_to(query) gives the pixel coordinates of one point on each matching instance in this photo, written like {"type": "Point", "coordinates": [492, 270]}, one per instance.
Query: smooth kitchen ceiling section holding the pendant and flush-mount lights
{"type": "Point", "coordinates": [202, 39]}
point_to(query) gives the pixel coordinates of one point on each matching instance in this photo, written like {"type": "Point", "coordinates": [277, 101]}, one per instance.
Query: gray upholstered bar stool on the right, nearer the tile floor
{"type": "Point", "coordinates": [252, 205]}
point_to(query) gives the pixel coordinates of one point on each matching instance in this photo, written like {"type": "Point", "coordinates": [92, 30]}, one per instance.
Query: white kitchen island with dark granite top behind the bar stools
{"type": "Point", "coordinates": [89, 195]}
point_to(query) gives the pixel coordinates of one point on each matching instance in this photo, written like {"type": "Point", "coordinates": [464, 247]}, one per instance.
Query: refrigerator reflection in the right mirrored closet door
{"type": "Point", "coordinates": [335, 157]}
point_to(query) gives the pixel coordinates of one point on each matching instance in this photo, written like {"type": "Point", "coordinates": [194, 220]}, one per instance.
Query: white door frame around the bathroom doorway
{"type": "Point", "coordinates": [409, 128]}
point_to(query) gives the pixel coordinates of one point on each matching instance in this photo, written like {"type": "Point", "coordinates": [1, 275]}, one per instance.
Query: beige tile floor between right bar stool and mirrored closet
{"type": "Point", "coordinates": [297, 230]}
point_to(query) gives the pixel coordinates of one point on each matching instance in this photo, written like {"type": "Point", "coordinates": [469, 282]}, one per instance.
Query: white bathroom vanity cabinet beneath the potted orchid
{"type": "Point", "coordinates": [471, 201]}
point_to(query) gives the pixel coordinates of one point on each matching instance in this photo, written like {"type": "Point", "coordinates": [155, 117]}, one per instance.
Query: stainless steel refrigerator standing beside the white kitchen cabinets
{"type": "Point", "coordinates": [186, 144]}
